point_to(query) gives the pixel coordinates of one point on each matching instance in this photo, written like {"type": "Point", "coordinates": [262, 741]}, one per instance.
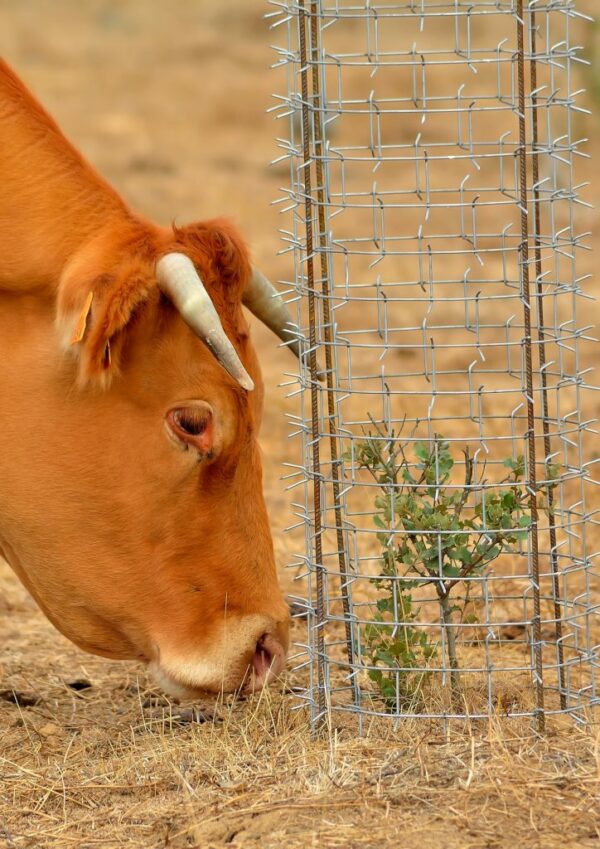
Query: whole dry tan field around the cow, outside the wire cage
{"type": "Point", "coordinates": [168, 100]}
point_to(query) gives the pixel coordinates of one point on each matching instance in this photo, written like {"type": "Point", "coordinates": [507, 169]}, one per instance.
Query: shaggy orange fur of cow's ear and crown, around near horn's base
{"type": "Point", "coordinates": [108, 282]}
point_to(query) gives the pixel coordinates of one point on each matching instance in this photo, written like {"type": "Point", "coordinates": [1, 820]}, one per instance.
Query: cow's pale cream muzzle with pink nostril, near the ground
{"type": "Point", "coordinates": [243, 655]}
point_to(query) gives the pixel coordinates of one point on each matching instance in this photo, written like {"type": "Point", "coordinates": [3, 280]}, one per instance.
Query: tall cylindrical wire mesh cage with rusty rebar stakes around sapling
{"type": "Point", "coordinates": [432, 219]}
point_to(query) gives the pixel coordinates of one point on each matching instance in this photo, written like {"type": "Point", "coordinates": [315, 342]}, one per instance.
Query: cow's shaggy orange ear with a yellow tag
{"type": "Point", "coordinates": [93, 316]}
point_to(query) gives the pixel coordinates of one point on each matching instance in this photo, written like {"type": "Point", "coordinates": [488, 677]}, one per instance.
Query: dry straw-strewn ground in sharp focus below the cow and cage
{"type": "Point", "coordinates": [116, 765]}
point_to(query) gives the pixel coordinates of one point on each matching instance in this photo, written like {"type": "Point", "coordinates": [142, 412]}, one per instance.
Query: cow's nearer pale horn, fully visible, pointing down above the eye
{"type": "Point", "coordinates": [179, 280]}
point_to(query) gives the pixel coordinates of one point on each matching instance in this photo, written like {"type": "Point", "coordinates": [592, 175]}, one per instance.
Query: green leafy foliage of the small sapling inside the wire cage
{"type": "Point", "coordinates": [432, 529]}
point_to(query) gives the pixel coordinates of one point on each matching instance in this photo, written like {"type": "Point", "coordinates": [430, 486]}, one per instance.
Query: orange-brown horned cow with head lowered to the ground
{"type": "Point", "coordinates": [131, 501]}
